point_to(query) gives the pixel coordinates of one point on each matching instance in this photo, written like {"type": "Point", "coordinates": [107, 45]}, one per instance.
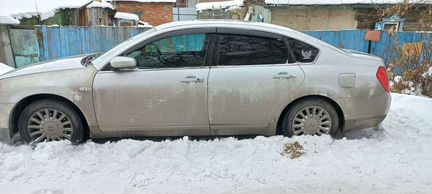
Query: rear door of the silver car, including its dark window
{"type": "Point", "coordinates": [253, 76]}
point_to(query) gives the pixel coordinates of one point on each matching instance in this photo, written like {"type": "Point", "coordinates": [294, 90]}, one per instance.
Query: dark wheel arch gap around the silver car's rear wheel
{"type": "Point", "coordinates": [329, 100]}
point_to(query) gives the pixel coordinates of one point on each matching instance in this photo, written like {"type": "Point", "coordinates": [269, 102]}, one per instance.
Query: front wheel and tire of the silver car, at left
{"type": "Point", "coordinates": [63, 122]}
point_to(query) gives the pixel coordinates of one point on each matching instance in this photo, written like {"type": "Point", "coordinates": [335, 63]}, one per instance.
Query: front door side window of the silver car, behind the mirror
{"type": "Point", "coordinates": [186, 50]}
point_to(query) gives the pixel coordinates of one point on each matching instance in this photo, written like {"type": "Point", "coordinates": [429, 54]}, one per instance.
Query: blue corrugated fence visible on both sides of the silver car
{"type": "Point", "coordinates": [57, 42]}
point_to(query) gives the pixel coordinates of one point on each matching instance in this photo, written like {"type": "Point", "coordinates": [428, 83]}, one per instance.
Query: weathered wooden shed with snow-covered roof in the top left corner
{"type": "Point", "coordinates": [58, 12]}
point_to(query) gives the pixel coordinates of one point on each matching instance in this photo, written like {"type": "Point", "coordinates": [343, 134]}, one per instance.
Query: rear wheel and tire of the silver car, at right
{"type": "Point", "coordinates": [302, 118]}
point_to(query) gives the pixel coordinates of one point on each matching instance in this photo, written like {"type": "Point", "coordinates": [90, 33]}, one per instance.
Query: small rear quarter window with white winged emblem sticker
{"type": "Point", "coordinates": [304, 53]}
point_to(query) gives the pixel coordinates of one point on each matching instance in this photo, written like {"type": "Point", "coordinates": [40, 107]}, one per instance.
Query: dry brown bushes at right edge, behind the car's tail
{"type": "Point", "coordinates": [413, 59]}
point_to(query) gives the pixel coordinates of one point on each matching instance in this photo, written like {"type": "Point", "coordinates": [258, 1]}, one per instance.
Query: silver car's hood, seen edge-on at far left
{"type": "Point", "coordinates": [48, 66]}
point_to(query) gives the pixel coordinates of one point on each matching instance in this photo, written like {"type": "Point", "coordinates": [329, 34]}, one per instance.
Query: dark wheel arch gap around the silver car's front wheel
{"type": "Point", "coordinates": [22, 104]}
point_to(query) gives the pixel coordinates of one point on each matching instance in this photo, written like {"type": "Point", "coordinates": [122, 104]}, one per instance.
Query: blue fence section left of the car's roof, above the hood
{"type": "Point", "coordinates": [62, 41]}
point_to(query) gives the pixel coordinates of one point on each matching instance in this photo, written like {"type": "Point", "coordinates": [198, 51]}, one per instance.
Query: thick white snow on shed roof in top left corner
{"type": "Point", "coordinates": [44, 8]}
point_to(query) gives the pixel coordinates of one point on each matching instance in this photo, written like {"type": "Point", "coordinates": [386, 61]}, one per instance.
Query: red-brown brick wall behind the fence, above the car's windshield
{"type": "Point", "coordinates": [155, 13]}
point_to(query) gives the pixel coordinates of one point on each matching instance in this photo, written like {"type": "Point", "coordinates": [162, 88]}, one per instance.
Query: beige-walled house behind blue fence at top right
{"type": "Point", "coordinates": [347, 14]}
